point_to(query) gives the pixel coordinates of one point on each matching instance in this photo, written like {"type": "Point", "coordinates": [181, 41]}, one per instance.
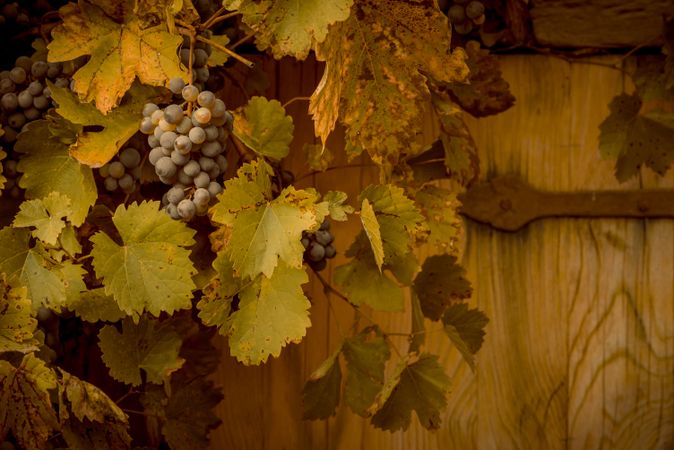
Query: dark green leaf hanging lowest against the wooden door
{"type": "Point", "coordinates": [422, 387]}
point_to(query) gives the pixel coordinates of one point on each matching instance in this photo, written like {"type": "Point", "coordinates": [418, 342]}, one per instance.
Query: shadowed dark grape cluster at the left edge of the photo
{"type": "Point", "coordinates": [24, 94]}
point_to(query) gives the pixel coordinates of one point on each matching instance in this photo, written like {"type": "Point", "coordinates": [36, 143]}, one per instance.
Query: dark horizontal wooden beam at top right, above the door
{"type": "Point", "coordinates": [599, 23]}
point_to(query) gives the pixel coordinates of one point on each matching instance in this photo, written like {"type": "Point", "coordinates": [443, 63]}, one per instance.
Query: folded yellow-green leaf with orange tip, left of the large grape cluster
{"type": "Point", "coordinates": [108, 132]}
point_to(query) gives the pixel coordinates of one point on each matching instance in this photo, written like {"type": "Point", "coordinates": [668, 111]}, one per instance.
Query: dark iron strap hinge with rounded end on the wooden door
{"type": "Point", "coordinates": [507, 203]}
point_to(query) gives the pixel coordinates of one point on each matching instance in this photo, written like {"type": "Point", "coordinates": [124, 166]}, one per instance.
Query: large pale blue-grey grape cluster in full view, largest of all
{"type": "Point", "coordinates": [188, 141]}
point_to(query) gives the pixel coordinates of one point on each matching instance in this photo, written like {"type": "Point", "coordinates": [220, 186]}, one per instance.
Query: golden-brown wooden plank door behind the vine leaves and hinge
{"type": "Point", "coordinates": [579, 352]}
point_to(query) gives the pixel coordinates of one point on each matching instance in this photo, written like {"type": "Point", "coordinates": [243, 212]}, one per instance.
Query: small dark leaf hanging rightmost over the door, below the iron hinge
{"type": "Point", "coordinates": [465, 328]}
